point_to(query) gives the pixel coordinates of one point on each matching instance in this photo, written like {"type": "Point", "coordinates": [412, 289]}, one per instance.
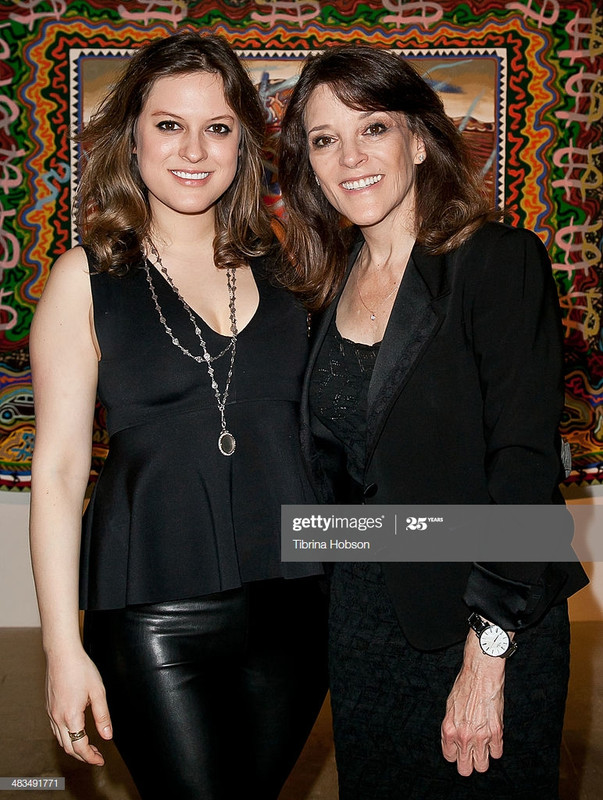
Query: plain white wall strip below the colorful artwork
{"type": "Point", "coordinates": [17, 597]}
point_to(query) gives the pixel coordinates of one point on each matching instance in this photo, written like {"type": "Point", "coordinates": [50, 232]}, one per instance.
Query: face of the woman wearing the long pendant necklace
{"type": "Point", "coordinates": [187, 143]}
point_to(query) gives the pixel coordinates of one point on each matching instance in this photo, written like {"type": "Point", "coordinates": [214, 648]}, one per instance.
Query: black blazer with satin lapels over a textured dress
{"type": "Point", "coordinates": [463, 407]}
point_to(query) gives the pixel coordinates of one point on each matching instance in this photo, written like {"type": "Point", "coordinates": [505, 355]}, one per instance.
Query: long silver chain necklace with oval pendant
{"type": "Point", "coordinates": [226, 441]}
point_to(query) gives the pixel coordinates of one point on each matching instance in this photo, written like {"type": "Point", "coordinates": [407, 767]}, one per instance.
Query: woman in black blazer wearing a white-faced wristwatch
{"type": "Point", "coordinates": [436, 377]}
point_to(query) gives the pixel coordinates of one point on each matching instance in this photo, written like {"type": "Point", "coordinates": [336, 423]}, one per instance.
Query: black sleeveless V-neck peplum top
{"type": "Point", "coordinates": [170, 516]}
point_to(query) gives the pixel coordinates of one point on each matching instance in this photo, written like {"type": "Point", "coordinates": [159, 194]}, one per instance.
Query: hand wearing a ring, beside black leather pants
{"type": "Point", "coordinates": [72, 684]}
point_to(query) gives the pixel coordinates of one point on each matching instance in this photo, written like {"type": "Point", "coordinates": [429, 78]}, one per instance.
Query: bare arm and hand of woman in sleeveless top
{"type": "Point", "coordinates": [64, 366]}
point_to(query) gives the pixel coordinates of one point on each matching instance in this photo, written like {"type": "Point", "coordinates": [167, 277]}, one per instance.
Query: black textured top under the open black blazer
{"type": "Point", "coordinates": [338, 393]}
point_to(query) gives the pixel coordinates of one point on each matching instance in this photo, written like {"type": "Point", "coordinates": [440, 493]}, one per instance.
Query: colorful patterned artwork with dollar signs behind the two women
{"type": "Point", "coordinates": [521, 79]}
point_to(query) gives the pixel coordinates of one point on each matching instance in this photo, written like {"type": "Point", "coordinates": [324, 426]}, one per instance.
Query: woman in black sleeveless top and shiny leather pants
{"type": "Point", "coordinates": [204, 654]}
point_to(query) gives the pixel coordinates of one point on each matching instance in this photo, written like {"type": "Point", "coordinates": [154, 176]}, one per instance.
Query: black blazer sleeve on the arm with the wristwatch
{"type": "Point", "coordinates": [517, 342]}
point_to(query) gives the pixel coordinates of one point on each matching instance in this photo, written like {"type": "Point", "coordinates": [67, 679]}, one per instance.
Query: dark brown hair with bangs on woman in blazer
{"type": "Point", "coordinates": [450, 201]}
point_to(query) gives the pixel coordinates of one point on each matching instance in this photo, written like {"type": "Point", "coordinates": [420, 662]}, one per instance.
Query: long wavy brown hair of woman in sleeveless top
{"type": "Point", "coordinates": [112, 209]}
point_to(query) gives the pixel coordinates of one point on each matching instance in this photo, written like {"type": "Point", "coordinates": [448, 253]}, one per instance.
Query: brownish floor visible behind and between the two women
{"type": "Point", "coordinates": [27, 747]}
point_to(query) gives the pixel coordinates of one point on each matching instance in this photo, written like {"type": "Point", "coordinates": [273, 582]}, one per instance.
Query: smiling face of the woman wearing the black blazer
{"type": "Point", "coordinates": [365, 160]}
